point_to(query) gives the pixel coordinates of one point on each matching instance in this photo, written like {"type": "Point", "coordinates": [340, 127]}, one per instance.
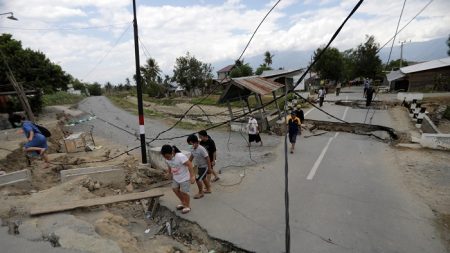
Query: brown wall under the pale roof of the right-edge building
{"type": "Point", "coordinates": [429, 80]}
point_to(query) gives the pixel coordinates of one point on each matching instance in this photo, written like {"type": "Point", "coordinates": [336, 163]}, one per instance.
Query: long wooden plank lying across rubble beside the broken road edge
{"type": "Point", "coordinates": [65, 206]}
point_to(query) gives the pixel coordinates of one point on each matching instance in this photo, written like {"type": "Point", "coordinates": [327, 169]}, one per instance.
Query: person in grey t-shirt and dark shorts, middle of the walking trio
{"type": "Point", "coordinates": [201, 159]}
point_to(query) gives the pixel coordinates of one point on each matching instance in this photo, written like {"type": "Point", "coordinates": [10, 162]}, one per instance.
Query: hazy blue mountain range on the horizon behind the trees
{"type": "Point", "coordinates": [291, 59]}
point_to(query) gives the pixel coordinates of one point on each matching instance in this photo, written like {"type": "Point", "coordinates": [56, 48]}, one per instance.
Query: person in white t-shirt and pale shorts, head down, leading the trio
{"type": "Point", "coordinates": [182, 173]}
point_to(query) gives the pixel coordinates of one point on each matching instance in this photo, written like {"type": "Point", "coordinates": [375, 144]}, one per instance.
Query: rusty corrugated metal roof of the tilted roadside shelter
{"type": "Point", "coordinates": [257, 85]}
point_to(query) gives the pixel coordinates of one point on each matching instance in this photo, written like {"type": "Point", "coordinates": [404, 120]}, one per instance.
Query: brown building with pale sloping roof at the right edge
{"type": "Point", "coordinates": [427, 76]}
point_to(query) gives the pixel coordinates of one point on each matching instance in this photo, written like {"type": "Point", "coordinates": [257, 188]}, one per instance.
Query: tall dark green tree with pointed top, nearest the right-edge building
{"type": "Point", "coordinates": [367, 62]}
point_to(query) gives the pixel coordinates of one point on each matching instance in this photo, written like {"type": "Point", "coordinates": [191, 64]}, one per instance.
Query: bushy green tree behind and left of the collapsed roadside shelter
{"type": "Point", "coordinates": [191, 73]}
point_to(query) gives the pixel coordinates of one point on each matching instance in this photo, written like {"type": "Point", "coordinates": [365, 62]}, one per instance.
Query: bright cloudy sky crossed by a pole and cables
{"type": "Point", "coordinates": [93, 39]}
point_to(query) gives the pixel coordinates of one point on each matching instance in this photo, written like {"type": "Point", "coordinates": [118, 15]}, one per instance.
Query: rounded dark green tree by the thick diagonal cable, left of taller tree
{"type": "Point", "coordinates": [330, 64]}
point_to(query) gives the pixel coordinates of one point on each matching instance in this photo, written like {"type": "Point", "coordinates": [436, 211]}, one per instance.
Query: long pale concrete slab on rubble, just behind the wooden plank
{"type": "Point", "coordinates": [106, 175]}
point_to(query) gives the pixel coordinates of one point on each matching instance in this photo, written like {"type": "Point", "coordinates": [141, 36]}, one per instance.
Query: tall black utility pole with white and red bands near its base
{"type": "Point", "coordinates": [139, 88]}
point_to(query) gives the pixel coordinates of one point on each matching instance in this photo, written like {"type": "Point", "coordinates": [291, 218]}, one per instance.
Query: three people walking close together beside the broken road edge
{"type": "Point", "coordinates": [180, 168]}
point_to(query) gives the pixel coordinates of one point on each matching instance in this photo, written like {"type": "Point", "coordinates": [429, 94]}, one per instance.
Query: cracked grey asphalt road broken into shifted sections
{"type": "Point", "coordinates": [346, 192]}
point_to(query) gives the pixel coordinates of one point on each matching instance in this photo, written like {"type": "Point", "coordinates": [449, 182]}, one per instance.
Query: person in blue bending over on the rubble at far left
{"type": "Point", "coordinates": [36, 145]}
